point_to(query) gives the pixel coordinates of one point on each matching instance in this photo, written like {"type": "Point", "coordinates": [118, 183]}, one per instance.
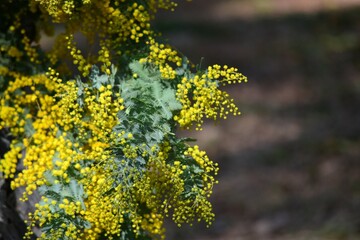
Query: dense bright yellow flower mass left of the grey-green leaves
{"type": "Point", "coordinates": [47, 151]}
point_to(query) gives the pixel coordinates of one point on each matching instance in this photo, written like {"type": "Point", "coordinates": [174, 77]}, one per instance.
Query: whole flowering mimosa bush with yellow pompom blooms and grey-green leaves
{"type": "Point", "coordinates": [92, 129]}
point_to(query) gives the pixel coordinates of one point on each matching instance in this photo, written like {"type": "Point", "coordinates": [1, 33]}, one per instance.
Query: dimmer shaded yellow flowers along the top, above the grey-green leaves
{"type": "Point", "coordinates": [125, 22]}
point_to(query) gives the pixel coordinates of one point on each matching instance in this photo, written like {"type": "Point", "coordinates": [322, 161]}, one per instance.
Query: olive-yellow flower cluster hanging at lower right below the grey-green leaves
{"type": "Point", "coordinates": [162, 188]}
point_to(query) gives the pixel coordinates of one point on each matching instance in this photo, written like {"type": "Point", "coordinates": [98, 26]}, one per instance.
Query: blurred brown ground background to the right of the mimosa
{"type": "Point", "coordinates": [290, 164]}
